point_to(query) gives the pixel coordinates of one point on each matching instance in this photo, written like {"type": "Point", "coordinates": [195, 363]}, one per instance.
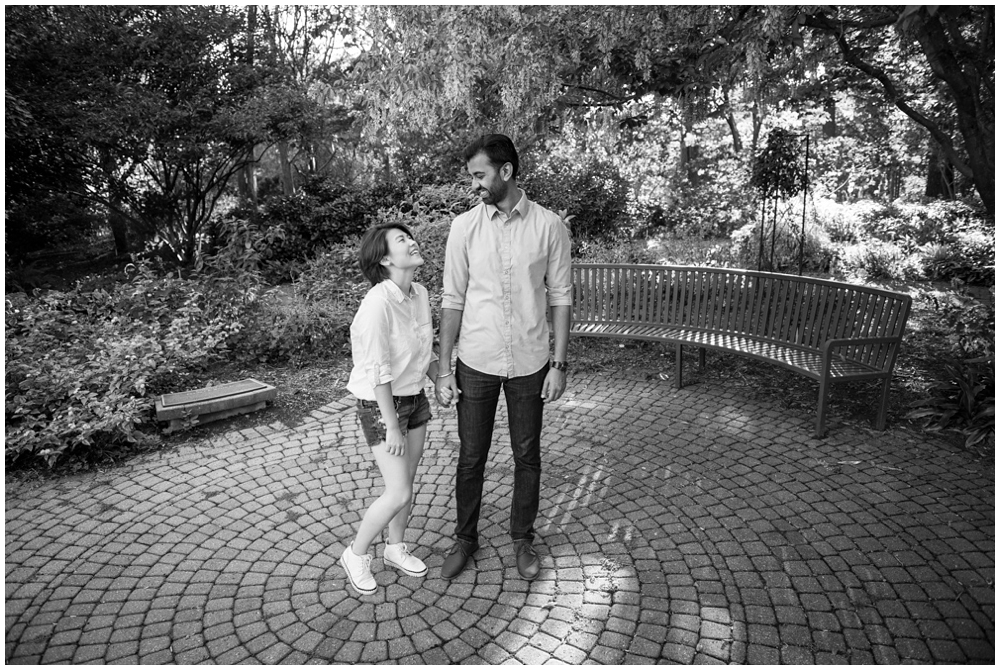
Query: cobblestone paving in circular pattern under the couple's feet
{"type": "Point", "coordinates": [691, 526]}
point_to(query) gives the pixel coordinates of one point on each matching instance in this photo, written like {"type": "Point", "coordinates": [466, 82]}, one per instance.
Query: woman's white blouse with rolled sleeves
{"type": "Point", "coordinates": [391, 341]}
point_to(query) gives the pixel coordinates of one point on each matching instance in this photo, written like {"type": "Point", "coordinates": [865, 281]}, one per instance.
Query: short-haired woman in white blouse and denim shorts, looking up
{"type": "Point", "coordinates": [391, 343]}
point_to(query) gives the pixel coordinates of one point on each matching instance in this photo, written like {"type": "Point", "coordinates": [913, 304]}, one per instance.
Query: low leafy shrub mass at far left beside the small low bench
{"type": "Point", "coordinates": [81, 366]}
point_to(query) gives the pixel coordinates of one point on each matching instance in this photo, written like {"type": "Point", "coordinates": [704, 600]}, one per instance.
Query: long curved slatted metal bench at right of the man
{"type": "Point", "coordinates": [824, 330]}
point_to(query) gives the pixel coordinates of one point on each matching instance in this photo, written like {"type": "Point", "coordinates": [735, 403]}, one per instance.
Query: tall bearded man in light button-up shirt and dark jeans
{"type": "Point", "coordinates": [507, 260]}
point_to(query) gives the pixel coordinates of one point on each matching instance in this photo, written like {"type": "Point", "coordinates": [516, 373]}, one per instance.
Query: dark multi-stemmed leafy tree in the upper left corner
{"type": "Point", "coordinates": [156, 108]}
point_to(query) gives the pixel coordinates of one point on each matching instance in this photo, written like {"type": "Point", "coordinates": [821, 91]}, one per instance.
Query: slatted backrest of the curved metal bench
{"type": "Point", "coordinates": [799, 311]}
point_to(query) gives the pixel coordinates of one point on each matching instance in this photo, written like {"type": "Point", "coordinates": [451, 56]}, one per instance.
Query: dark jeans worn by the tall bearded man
{"type": "Point", "coordinates": [477, 408]}
